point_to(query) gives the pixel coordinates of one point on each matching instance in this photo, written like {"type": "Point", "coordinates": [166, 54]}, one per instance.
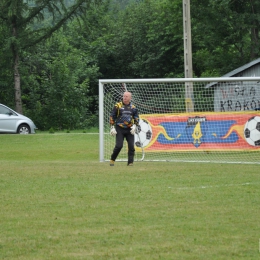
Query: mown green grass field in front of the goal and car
{"type": "Point", "coordinates": [59, 202]}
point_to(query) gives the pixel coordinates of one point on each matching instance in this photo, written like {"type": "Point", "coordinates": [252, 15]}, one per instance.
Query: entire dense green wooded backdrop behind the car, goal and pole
{"type": "Point", "coordinates": [60, 62]}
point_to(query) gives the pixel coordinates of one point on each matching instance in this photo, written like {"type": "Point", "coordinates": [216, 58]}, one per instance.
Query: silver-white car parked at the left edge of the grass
{"type": "Point", "coordinates": [13, 122]}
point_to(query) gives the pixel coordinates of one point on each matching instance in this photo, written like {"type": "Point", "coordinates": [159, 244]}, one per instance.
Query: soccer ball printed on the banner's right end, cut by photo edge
{"type": "Point", "coordinates": [252, 131]}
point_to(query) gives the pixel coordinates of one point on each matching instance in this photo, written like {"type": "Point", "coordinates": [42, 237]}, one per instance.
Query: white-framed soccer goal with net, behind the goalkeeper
{"type": "Point", "coordinates": [187, 120]}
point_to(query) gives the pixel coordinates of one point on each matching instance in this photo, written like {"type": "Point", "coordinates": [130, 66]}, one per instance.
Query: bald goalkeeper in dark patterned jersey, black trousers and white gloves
{"type": "Point", "coordinates": [124, 119]}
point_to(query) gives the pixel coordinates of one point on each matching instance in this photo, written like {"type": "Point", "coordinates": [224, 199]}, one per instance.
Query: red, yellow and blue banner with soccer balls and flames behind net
{"type": "Point", "coordinates": [212, 131]}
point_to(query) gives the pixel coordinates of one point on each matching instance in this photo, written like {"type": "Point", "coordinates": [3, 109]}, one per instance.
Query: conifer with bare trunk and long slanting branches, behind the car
{"type": "Point", "coordinates": [23, 18]}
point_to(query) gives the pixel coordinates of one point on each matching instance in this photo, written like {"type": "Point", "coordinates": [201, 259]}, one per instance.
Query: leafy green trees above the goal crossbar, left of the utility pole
{"type": "Point", "coordinates": [145, 40]}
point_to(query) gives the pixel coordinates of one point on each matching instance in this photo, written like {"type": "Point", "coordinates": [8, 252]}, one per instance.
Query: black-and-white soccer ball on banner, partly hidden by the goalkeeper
{"type": "Point", "coordinates": [143, 133]}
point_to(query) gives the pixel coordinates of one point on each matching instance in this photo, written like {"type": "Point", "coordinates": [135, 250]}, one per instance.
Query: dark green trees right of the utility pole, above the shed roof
{"type": "Point", "coordinates": [225, 35]}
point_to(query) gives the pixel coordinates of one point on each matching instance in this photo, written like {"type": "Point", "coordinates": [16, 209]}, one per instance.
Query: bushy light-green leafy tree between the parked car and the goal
{"type": "Point", "coordinates": [56, 77]}
